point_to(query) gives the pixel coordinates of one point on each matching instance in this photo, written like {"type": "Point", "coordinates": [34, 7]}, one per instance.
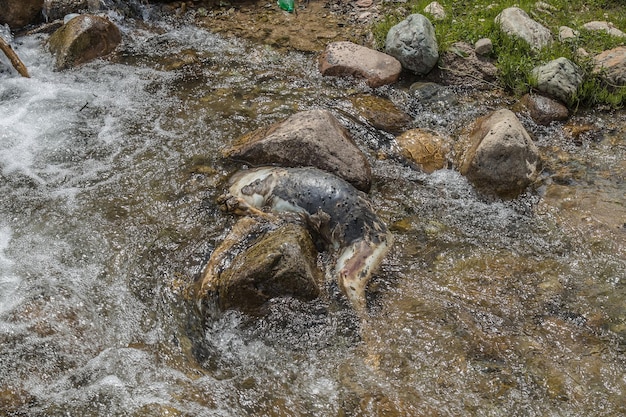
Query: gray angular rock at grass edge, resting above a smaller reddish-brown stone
{"type": "Point", "coordinates": [559, 78]}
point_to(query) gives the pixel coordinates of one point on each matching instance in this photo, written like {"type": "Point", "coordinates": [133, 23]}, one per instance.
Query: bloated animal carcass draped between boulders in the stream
{"type": "Point", "coordinates": [332, 207]}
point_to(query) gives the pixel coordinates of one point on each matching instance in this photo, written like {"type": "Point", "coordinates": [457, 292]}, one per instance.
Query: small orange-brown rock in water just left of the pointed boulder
{"type": "Point", "coordinates": [426, 149]}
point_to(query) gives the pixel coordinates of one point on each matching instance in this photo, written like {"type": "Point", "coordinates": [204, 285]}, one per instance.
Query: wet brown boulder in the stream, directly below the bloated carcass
{"type": "Point", "coordinates": [260, 260]}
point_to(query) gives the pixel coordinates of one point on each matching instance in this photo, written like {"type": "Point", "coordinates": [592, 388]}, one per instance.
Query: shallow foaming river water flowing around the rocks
{"type": "Point", "coordinates": [108, 180]}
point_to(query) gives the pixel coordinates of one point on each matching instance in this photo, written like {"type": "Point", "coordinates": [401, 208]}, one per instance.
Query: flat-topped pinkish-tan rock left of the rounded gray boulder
{"type": "Point", "coordinates": [349, 59]}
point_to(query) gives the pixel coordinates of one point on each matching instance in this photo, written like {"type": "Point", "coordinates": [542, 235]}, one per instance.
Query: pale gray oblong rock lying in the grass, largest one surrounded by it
{"type": "Point", "coordinates": [516, 22]}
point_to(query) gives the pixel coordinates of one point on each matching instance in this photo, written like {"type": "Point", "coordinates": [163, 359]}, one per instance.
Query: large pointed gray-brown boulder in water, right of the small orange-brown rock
{"type": "Point", "coordinates": [502, 159]}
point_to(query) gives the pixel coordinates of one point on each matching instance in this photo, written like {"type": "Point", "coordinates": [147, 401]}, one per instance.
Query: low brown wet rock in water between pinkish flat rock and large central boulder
{"type": "Point", "coordinates": [381, 113]}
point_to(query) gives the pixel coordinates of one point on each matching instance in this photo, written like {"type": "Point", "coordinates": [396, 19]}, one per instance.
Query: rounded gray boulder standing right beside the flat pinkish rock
{"type": "Point", "coordinates": [413, 43]}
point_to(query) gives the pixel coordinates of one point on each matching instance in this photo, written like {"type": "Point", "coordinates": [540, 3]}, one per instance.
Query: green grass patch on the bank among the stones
{"type": "Point", "coordinates": [470, 21]}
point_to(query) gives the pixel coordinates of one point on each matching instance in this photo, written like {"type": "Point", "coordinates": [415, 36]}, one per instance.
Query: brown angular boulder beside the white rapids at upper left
{"type": "Point", "coordinates": [83, 39]}
